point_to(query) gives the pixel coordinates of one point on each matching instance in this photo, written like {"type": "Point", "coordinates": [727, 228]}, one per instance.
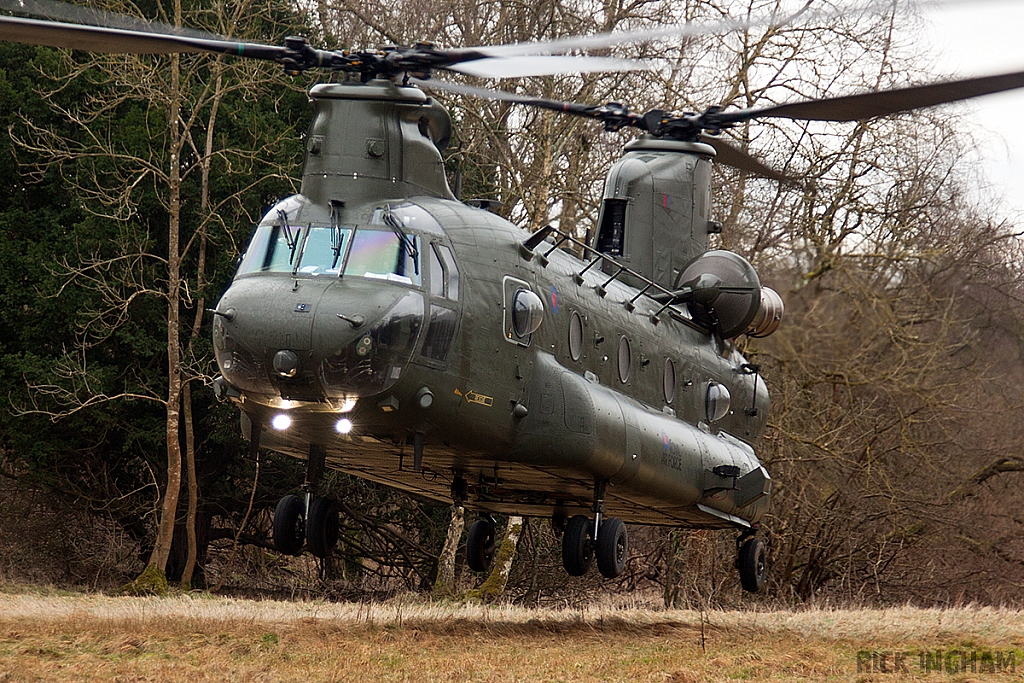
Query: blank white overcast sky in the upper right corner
{"type": "Point", "coordinates": [978, 38]}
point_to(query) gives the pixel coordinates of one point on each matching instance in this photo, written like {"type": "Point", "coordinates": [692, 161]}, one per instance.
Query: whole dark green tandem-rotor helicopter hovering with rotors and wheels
{"type": "Point", "coordinates": [381, 327]}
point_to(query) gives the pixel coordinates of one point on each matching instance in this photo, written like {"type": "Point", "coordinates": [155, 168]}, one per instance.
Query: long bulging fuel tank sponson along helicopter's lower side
{"type": "Point", "coordinates": [584, 426]}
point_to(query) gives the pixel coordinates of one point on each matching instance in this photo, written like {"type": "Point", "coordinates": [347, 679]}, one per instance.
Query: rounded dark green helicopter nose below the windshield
{"type": "Point", "coordinates": [343, 339]}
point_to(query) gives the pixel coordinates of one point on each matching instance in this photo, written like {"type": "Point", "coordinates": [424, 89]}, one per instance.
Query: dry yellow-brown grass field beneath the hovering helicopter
{"type": "Point", "coordinates": [202, 638]}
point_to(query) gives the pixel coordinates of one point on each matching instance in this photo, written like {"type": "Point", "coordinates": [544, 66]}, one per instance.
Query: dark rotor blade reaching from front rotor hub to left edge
{"type": "Point", "coordinates": [124, 41]}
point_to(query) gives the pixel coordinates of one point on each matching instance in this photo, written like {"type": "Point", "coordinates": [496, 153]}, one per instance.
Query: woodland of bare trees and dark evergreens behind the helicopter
{"type": "Point", "coordinates": [132, 185]}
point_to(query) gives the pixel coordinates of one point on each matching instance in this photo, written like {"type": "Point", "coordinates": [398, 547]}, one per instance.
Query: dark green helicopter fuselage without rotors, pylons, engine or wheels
{"type": "Point", "coordinates": [399, 326]}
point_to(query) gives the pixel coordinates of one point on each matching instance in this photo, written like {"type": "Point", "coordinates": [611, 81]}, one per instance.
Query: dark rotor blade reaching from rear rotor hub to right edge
{"type": "Point", "coordinates": [871, 105]}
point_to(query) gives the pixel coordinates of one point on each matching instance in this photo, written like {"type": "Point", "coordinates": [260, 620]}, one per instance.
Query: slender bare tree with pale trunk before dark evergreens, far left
{"type": "Point", "coordinates": [178, 100]}
